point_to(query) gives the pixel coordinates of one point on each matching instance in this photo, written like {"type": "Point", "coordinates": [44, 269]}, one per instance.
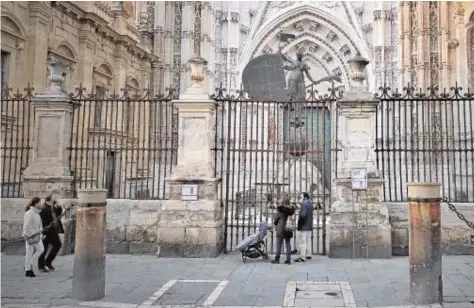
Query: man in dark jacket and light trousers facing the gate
{"type": "Point", "coordinates": [305, 226]}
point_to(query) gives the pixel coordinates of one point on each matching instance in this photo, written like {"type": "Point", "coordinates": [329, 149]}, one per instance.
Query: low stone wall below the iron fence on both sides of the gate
{"type": "Point", "coordinates": [133, 226]}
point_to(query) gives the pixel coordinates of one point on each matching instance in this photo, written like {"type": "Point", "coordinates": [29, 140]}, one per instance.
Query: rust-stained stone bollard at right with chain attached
{"type": "Point", "coordinates": [426, 283]}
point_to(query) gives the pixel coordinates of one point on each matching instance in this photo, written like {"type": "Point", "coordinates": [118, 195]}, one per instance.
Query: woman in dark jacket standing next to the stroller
{"type": "Point", "coordinates": [284, 211]}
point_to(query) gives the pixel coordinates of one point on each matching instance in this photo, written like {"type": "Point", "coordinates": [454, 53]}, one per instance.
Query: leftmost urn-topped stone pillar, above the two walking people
{"type": "Point", "coordinates": [49, 171]}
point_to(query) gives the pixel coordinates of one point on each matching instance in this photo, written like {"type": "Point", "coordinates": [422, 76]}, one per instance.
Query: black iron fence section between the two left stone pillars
{"type": "Point", "coordinates": [126, 143]}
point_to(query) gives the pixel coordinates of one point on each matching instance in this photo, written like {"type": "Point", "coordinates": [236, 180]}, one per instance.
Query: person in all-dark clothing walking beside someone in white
{"type": "Point", "coordinates": [49, 213]}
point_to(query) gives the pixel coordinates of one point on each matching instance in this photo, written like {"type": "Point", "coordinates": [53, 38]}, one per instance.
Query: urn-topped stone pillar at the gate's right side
{"type": "Point", "coordinates": [357, 136]}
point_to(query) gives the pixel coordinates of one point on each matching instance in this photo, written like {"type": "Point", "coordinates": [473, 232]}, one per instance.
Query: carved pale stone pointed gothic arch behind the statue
{"type": "Point", "coordinates": [335, 34]}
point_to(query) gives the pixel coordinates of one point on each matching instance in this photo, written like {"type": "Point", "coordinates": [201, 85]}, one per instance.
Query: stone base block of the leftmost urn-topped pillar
{"type": "Point", "coordinates": [42, 186]}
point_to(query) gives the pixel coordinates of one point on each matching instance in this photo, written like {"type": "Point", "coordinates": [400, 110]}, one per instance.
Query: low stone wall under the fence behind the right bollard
{"type": "Point", "coordinates": [457, 237]}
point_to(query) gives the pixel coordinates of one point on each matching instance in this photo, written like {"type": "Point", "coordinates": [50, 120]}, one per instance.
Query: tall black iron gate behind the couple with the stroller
{"type": "Point", "coordinates": [267, 149]}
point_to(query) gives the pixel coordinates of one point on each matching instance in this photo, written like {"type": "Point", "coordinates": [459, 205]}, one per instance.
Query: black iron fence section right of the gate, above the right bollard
{"type": "Point", "coordinates": [426, 136]}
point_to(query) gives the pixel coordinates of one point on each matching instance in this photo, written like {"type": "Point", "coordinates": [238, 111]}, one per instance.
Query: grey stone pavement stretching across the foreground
{"type": "Point", "coordinates": [133, 279]}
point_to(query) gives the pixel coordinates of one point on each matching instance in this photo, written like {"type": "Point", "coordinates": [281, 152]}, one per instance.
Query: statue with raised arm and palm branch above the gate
{"type": "Point", "coordinates": [297, 69]}
